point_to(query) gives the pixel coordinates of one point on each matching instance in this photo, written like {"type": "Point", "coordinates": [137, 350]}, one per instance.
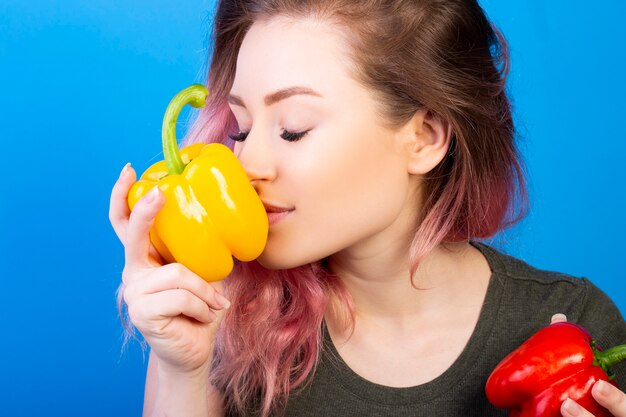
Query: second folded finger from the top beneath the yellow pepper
{"type": "Point", "coordinates": [167, 304]}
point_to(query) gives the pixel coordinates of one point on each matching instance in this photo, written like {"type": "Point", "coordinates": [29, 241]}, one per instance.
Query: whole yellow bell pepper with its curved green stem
{"type": "Point", "coordinates": [211, 211]}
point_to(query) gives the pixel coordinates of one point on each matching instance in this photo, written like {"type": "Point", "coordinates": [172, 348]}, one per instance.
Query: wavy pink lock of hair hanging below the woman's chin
{"type": "Point", "coordinates": [269, 341]}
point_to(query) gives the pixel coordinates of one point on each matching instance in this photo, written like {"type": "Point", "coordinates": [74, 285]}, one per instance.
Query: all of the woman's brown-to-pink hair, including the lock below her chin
{"type": "Point", "coordinates": [269, 342]}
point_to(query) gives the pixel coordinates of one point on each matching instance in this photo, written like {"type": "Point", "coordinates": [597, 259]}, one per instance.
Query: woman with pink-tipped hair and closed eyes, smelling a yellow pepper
{"type": "Point", "coordinates": [379, 137]}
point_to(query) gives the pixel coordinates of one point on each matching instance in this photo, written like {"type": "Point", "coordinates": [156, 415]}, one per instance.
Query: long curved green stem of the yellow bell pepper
{"type": "Point", "coordinates": [195, 95]}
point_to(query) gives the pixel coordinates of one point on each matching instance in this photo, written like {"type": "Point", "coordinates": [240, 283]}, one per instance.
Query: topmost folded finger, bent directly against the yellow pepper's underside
{"type": "Point", "coordinates": [177, 276]}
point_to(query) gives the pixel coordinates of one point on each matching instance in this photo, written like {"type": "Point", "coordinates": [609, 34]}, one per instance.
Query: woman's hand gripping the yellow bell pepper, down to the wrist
{"type": "Point", "coordinates": [176, 311]}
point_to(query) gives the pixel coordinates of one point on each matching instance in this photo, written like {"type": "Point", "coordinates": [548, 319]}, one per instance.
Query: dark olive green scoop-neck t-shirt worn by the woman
{"type": "Point", "coordinates": [519, 301]}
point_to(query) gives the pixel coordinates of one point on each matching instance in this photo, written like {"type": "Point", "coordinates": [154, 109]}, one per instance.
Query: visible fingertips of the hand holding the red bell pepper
{"type": "Point", "coordinates": [607, 395]}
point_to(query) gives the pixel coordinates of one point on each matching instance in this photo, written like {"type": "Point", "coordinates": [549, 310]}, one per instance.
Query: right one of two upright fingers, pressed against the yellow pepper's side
{"type": "Point", "coordinates": [137, 245]}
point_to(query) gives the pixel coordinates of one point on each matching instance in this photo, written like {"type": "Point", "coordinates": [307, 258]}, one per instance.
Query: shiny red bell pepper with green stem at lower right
{"type": "Point", "coordinates": [558, 362]}
